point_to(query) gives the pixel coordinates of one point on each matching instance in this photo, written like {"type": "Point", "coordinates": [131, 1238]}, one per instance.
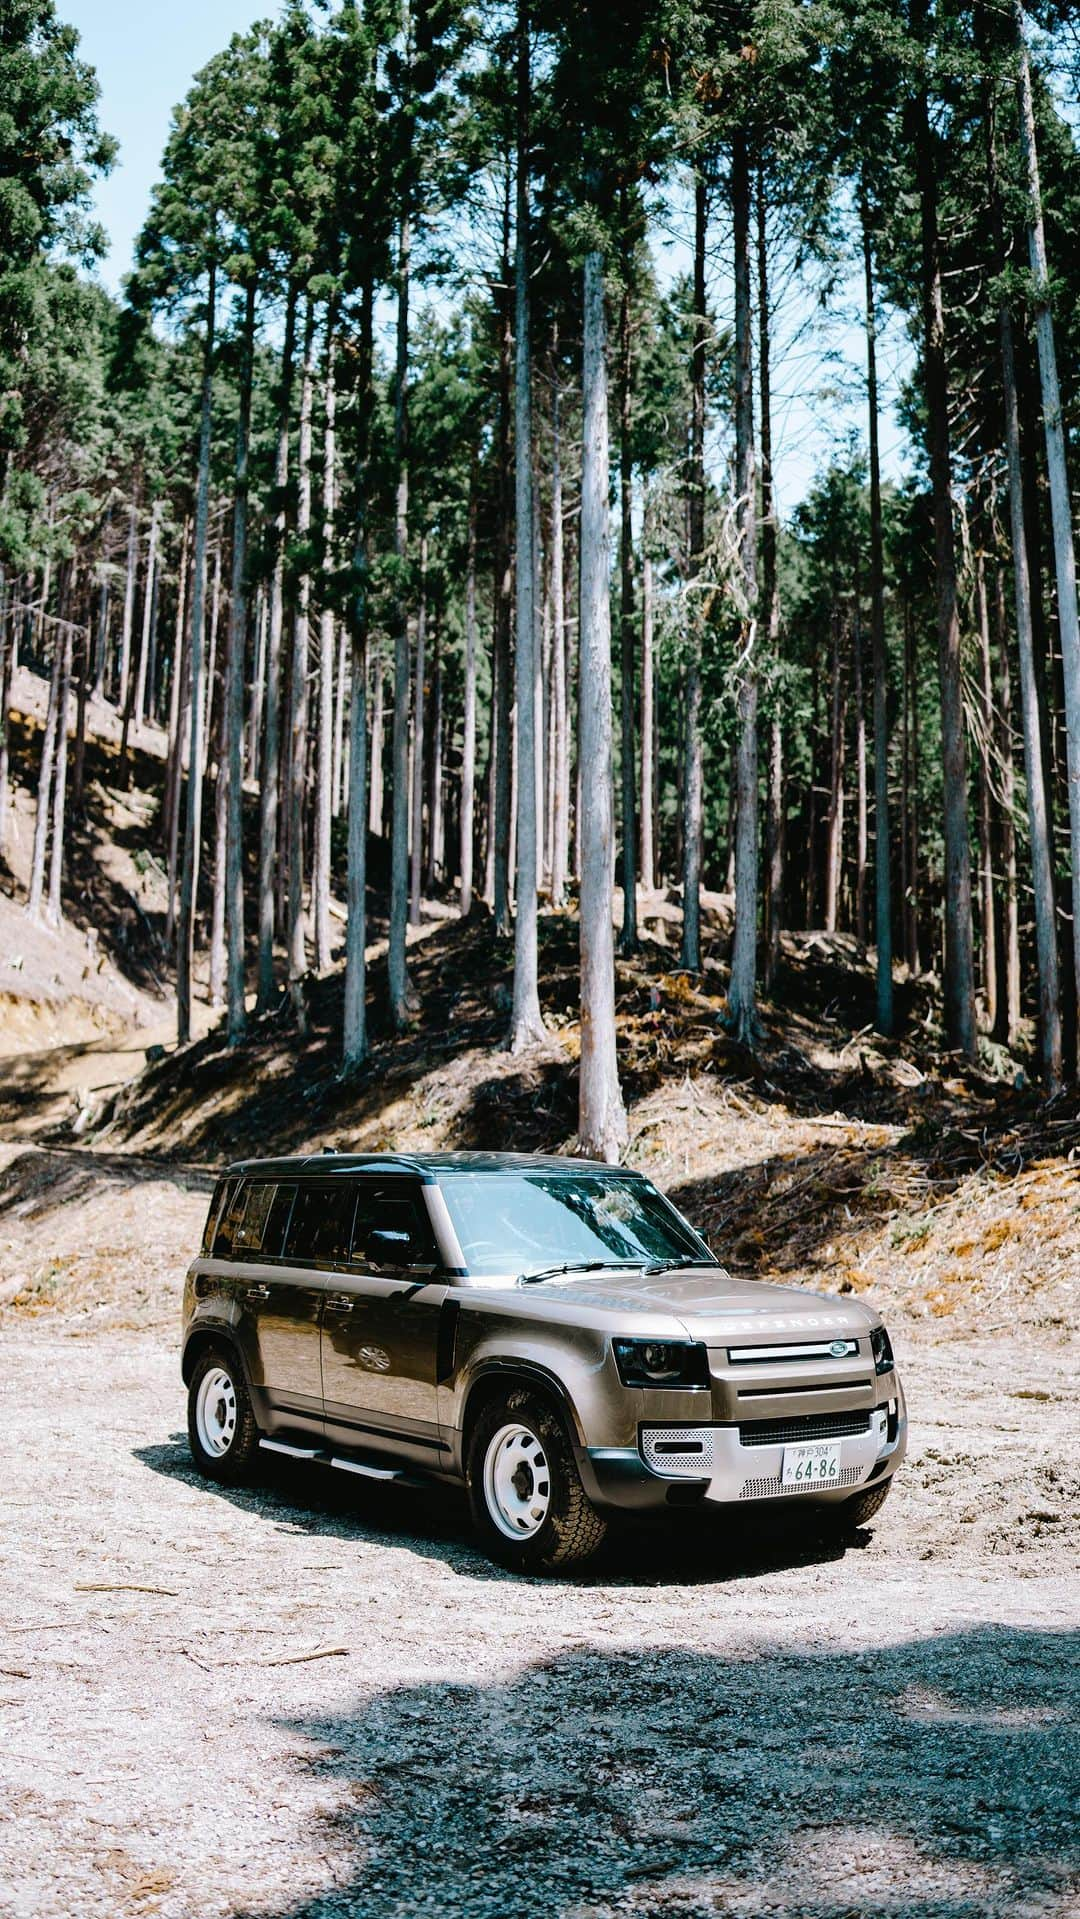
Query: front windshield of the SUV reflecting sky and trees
{"type": "Point", "coordinates": [532, 1221]}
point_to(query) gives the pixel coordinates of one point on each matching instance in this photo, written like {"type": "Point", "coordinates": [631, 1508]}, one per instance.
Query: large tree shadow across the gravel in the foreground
{"type": "Point", "coordinates": [929, 1778]}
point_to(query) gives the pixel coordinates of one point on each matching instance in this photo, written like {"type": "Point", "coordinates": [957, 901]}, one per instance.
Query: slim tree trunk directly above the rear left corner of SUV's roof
{"type": "Point", "coordinates": [233, 757]}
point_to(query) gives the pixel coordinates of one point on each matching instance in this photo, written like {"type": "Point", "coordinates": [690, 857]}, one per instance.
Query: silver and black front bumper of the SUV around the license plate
{"type": "Point", "coordinates": [716, 1467]}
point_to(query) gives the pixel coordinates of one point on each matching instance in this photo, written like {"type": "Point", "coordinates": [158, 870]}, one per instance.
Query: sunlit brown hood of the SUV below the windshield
{"type": "Point", "coordinates": [713, 1306]}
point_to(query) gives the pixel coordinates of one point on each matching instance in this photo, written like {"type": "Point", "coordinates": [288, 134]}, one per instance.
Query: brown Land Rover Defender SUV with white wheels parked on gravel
{"type": "Point", "coordinates": [548, 1333]}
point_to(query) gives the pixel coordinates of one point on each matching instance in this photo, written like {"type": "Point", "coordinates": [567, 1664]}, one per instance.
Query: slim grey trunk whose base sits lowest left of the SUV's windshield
{"type": "Point", "coordinates": [356, 1026]}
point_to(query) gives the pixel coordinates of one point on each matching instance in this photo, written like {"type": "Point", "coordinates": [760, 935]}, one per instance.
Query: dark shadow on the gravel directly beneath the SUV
{"type": "Point", "coordinates": [434, 1523]}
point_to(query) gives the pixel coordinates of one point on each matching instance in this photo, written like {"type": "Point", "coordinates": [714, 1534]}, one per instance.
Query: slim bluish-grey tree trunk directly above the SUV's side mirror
{"type": "Point", "coordinates": [398, 976]}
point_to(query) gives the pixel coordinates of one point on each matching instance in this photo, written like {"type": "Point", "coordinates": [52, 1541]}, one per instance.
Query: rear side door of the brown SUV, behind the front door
{"type": "Point", "coordinates": [279, 1304]}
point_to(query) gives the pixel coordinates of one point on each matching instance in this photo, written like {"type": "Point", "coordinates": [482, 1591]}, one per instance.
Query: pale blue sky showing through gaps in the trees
{"type": "Point", "coordinates": [147, 55]}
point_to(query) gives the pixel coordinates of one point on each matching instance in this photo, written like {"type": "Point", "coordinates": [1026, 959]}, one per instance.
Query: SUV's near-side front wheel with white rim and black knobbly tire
{"type": "Point", "coordinates": [573, 1530]}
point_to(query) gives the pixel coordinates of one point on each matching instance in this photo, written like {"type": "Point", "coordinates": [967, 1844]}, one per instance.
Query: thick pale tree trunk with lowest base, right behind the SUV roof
{"type": "Point", "coordinates": [601, 1120]}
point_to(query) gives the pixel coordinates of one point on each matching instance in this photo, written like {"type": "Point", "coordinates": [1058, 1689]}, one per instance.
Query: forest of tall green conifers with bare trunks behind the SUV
{"type": "Point", "coordinates": [419, 506]}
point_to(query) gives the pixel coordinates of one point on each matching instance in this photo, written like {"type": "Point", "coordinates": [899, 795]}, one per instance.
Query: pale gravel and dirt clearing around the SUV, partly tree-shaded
{"type": "Point", "coordinates": [312, 1699]}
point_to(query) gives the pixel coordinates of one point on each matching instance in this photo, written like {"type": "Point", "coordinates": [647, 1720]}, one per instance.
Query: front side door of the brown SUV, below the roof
{"type": "Point", "coordinates": [381, 1329]}
